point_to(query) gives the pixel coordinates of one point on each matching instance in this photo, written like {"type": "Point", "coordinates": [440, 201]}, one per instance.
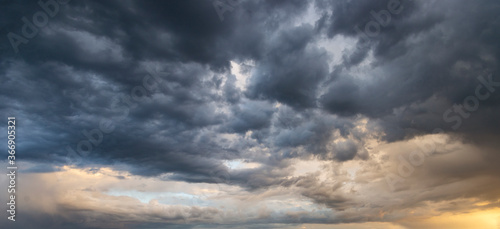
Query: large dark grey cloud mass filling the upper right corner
{"type": "Point", "coordinates": [416, 59]}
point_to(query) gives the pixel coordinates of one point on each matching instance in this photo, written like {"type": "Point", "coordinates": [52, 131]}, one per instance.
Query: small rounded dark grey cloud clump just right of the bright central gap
{"type": "Point", "coordinates": [291, 72]}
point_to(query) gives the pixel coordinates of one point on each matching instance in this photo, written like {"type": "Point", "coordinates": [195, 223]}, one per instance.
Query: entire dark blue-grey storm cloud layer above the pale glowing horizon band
{"type": "Point", "coordinates": [89, 61]}
